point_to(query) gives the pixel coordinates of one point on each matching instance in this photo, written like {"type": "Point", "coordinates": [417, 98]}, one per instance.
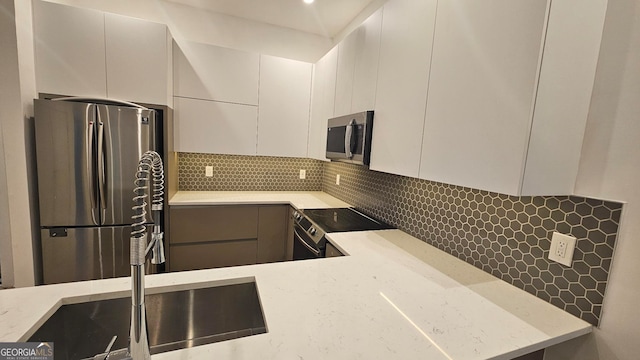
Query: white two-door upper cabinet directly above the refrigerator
{"type": "Point", "coordinates": [83, 52]}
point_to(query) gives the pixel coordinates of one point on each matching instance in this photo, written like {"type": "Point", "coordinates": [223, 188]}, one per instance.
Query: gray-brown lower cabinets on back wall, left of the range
{"type": "Point", "coordinates": [204, 237]}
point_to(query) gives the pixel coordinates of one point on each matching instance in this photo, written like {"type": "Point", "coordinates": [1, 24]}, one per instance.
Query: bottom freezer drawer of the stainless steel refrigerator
{"type": "Point", "coordinates": [76, 254]}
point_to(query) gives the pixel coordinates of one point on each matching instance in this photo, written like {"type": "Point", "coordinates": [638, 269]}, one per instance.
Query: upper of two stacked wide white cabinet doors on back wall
{"type": "Point", "coordinates": [210, 72]}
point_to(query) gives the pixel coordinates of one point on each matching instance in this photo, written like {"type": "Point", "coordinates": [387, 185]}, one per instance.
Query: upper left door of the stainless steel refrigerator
{"type": "Point", "coordinates": [65, 149]}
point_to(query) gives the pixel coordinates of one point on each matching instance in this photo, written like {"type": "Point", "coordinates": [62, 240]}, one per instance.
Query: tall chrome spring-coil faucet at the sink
{"type": "Point", "coordinates": [150, 172]}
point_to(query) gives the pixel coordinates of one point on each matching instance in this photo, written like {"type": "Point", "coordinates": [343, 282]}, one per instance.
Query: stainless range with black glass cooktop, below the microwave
{"type": "Point", "coordinates": [311, 225]}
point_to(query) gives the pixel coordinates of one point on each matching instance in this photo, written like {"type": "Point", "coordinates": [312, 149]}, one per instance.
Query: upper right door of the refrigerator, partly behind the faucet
{"type": "Point", "coordinates": [124, 134]}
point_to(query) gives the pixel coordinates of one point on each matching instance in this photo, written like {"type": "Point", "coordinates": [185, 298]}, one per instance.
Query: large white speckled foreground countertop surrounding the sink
{"type": "Point", "coordinates": [393, 297]}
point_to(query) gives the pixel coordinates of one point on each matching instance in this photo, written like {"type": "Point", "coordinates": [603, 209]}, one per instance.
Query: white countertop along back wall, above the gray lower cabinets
{"type": "Point", "coordinates": [299, 199]}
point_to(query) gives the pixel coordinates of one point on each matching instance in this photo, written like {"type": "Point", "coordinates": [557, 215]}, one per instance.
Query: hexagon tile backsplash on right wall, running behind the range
{"type": "Point", "coordinates": [507, 236]}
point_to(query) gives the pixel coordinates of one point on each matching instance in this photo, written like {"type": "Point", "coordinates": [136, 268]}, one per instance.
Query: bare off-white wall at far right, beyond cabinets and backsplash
{"type": "Point", "coordinates": [610, 169]}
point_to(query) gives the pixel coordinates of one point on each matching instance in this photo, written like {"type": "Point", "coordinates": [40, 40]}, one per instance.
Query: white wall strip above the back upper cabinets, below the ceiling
{"type": "Point", "coordinates": [190, 24]}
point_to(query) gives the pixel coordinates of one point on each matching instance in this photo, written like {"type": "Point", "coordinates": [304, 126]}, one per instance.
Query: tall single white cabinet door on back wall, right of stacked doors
{"type": "Point", "coordinates": [283, 111]}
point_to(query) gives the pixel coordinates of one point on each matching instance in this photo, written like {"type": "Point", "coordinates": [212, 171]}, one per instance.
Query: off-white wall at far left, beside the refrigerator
{"type": "Point", "coordinates": [15, 213]}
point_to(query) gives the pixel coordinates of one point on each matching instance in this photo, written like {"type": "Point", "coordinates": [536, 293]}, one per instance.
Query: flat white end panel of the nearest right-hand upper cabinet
{"type": "Point", "coordinates": [564, 96]}
